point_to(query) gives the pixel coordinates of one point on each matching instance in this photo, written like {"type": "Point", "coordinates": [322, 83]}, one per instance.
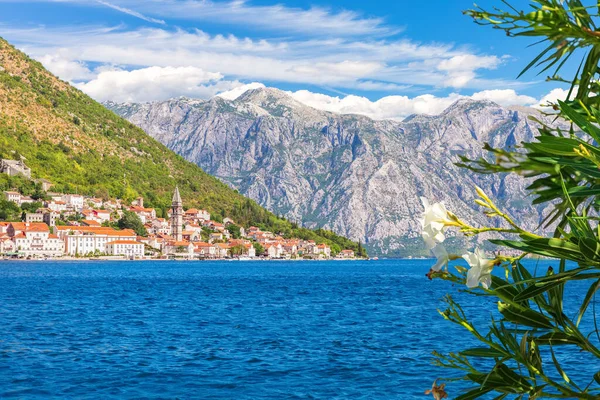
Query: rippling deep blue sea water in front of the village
{"type": "Point", "coordinates": [226, 330]}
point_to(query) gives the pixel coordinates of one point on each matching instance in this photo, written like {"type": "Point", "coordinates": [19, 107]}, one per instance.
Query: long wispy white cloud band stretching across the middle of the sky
{"type": "Point", "coordinates": [337, 62]}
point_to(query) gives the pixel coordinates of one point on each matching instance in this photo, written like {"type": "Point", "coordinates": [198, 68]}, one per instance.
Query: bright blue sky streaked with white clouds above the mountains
{"type": "Point", "coordinates": [382, 59]}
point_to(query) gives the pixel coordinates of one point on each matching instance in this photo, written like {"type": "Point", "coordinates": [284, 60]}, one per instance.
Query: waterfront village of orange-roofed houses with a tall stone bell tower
{"type": "Point", "coordinates": [75, 226]}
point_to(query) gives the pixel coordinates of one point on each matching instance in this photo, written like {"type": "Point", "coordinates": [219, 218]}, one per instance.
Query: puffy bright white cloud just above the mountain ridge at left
{"type": "Point", "coordinates": [155, 83]}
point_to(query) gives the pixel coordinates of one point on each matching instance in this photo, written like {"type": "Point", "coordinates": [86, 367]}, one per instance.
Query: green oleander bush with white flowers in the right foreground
{"type": "Point", "coordinates": [516, 354]}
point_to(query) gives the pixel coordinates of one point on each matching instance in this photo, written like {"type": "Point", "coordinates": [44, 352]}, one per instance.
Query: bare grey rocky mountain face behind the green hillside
{"type": "Point", "coordinates": [359, 177]}
